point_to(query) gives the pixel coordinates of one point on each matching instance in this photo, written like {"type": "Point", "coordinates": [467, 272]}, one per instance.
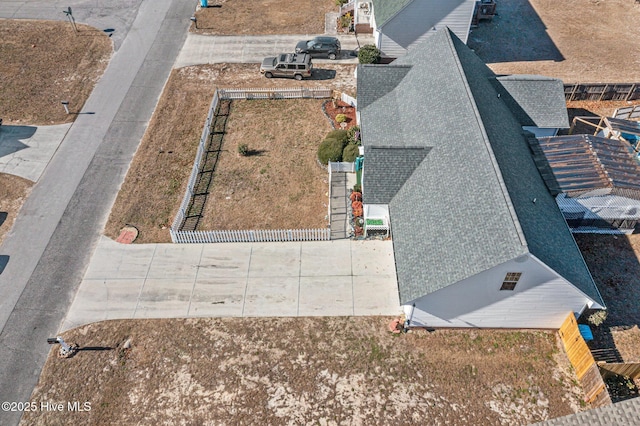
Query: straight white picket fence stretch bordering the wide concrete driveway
{"type": "Point", "coordinates": [251, 236]}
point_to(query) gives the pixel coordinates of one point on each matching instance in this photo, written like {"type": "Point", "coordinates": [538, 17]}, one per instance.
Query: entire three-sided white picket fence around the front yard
{"type": "Point", "coordinates": [261, 235]}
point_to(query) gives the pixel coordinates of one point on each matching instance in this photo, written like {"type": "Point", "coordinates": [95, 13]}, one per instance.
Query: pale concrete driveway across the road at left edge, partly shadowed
{"type": "Point", "coordinates": [25, 151]}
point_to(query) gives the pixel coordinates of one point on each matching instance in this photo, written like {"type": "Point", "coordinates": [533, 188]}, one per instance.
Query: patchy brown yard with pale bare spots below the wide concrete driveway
{"type": "Point", "coordinates": [326, 371]}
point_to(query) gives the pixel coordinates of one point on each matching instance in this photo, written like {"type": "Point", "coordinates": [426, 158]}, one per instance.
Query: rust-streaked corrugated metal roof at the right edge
{"type": "Point", "coordinates": [578, 164]}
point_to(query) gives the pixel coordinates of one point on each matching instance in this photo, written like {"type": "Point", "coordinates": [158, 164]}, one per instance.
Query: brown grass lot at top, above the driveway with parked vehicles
{"type": "Point", "coordinates": [257, 17]}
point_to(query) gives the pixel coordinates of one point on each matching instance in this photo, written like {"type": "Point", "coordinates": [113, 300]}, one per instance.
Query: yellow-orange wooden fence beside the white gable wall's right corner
{"type": "Point", "coordinates": [582, 361]}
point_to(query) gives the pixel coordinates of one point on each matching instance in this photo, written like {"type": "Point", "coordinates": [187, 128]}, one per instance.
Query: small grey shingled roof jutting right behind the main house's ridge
{"type": "Point", "coordinates": [535, 100]}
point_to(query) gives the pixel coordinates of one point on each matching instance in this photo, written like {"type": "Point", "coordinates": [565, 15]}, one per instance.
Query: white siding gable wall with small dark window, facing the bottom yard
{"type": "Point", "coordinates": [541, 299]}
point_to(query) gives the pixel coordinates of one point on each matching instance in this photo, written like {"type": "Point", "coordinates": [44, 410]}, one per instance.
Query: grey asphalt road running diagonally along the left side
{"type": "Point", "coordinates": [49, 246]}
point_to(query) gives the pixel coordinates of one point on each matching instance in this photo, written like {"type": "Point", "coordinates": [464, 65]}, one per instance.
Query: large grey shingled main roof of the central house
{"type": "Point", "coordinates": [476, 200]}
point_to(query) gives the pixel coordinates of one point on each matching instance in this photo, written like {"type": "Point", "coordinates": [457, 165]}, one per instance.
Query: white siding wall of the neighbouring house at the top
{"type": "Point", "coordinates": [419, 18]}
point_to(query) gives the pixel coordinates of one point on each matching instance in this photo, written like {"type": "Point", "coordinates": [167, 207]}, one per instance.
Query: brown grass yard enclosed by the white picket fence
{"type": "Point", "coordinates": [279, 184]}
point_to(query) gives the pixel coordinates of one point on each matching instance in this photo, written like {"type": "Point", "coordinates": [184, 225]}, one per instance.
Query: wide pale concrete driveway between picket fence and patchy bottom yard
{"type": "Point", "coordinates": [324, 278]}
